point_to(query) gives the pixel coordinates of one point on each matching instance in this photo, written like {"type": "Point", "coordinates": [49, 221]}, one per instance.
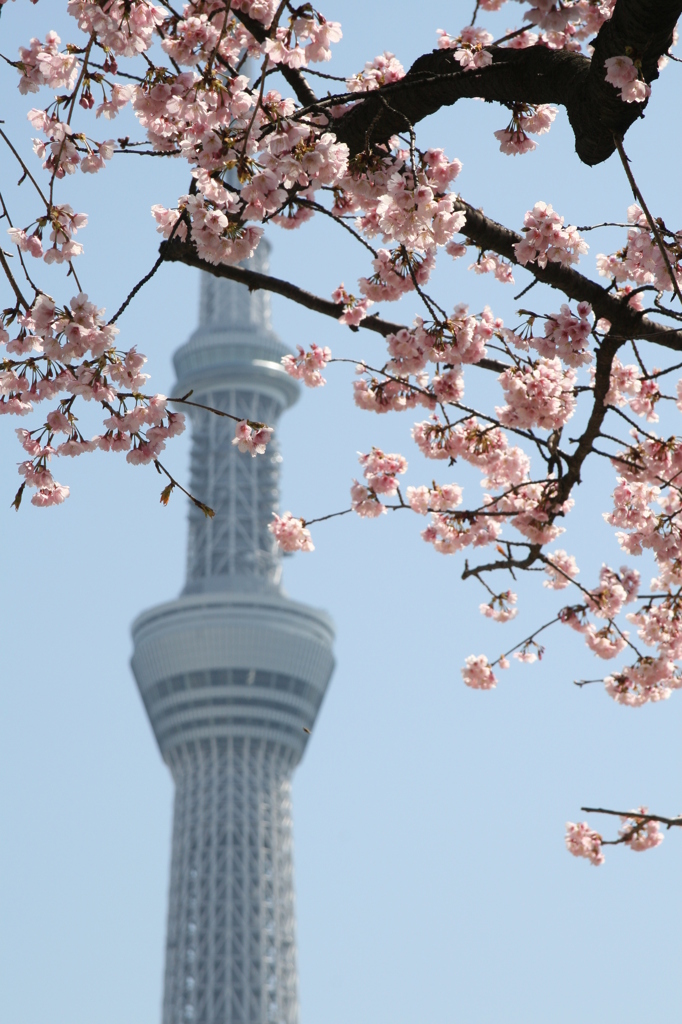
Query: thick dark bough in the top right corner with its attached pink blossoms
{"type": "Point", "coordinates": [596, 92]}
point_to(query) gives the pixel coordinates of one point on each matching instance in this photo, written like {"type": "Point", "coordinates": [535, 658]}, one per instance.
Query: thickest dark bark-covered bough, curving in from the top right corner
{"type": "Point", "coordinates": [642, 29]}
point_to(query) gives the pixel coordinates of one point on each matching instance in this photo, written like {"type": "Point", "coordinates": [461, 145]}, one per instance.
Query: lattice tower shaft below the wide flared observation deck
{"type": "Point", "coordinates": [232, 953]}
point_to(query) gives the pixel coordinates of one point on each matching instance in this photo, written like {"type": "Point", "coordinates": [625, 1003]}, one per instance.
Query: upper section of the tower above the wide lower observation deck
{"type": "Point", "coordinates": [233, 363]}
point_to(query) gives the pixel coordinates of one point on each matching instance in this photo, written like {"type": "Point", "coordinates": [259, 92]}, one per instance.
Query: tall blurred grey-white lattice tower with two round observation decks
{"type": "Point", "coordinates": [232, 674]}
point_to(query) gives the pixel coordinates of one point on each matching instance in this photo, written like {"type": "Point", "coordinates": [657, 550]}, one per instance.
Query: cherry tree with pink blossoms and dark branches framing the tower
{"type": "Point", "coordinates": [231, 89]}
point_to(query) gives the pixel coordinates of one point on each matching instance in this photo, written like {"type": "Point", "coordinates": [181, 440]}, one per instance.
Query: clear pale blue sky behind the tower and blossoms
{"type": "Point", "coordinates": [433, 882]}
